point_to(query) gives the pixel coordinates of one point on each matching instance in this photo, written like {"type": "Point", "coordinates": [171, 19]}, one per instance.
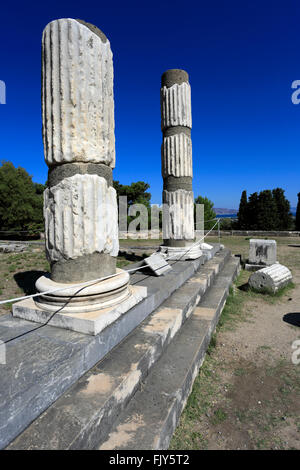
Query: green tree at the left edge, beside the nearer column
{"type": "Point", "coordinates": [21, 200]}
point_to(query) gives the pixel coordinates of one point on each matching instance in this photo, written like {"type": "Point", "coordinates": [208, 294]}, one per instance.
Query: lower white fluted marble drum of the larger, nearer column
{"type": "Point", "coordinates": [81, 218]}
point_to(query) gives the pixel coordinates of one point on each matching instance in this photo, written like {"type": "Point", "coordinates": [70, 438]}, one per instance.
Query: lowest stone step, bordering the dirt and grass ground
{"type": "Point", "coordinates": [152, 415]}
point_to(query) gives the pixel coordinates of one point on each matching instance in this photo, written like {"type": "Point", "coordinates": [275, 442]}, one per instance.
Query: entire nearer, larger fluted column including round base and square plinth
{"type": "Point", "coordinates": [80, 204]}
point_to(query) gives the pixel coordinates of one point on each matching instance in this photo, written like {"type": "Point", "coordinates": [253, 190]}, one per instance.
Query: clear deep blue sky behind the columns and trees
{"type": "Point", "coordinates": [241, 57]}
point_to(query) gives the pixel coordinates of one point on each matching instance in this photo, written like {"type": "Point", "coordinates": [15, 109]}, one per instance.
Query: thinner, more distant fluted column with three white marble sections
{"type": "Point", "coordinates": [177, 168]}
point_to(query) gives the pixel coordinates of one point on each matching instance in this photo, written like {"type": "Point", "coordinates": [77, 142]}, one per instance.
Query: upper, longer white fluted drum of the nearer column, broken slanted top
{"type": "Point", "coordinates": [77, 95]}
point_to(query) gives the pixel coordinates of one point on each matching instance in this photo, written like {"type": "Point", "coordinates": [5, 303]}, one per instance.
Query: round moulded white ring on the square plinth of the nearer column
{"type": "Point", "coordinates": [96, 296]}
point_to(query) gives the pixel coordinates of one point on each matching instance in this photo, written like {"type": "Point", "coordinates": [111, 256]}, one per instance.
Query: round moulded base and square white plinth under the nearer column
{"type": "Point", "coordinates": [84, 309]}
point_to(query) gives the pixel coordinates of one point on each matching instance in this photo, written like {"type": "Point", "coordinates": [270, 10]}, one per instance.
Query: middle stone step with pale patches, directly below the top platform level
{"type": "Point", "coordinates": [84, 414]}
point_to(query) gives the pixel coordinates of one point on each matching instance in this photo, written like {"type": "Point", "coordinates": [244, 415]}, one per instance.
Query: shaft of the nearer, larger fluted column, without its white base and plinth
{"type": "Point", "coordinates": [80, 207]}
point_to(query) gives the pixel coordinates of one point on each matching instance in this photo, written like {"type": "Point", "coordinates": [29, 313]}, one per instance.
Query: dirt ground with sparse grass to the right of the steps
{"type": "Point", "coordinates": [247, 394]}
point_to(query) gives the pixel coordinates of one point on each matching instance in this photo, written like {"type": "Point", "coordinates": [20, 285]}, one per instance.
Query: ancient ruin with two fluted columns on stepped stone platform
{"type": "Point", "coordinates": [135, 347]}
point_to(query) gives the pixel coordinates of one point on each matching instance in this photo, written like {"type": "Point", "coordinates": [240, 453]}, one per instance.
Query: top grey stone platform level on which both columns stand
{"type": "Point", "coordinates": [43, 361]}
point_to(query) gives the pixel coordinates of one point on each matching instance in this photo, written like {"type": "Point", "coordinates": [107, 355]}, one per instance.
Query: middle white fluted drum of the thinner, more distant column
{"type": "Point", "coordinates": [176, 155]}
